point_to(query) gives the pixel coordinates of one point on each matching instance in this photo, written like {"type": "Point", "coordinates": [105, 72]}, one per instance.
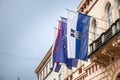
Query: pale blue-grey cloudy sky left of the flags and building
{"type": "Point", "coordinates": [26, 34]}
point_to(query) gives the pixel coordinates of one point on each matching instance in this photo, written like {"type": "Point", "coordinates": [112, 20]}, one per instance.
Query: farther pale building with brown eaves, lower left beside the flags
{"type": "Point", "coordinates": [43, 70]}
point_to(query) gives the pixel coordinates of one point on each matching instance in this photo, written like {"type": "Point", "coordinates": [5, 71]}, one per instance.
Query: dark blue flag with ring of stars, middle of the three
{"type": "Point", "coordinates": [61, 50]}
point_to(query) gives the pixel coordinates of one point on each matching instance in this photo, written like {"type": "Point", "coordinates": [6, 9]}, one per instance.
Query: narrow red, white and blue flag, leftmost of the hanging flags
{"type": "Point", "coordinates": [55, 66]}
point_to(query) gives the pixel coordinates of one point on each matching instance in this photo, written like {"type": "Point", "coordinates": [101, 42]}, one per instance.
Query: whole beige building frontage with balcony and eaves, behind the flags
{"type": "Point", "coordinates": [104, 45]}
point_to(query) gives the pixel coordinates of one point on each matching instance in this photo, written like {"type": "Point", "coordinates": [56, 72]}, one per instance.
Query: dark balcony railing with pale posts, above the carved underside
{"type": "Point", "coordinates": [106, 36]}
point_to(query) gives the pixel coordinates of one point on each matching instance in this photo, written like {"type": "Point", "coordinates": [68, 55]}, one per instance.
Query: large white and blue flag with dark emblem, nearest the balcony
{"type": "Point", "coordinates": [77, 35]}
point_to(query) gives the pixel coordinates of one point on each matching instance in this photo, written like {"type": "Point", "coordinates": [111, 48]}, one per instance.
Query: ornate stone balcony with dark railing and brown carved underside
{"type": "Point", "coordinates": [106, 49]}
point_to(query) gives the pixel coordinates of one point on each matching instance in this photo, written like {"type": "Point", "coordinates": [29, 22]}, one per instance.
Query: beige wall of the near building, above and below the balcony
{"type": "Point", "coordinates": [99, 13]}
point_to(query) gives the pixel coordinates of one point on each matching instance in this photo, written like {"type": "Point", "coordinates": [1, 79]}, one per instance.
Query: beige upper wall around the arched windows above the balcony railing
{"type": "Point", "coordinates": [99, 13]}
